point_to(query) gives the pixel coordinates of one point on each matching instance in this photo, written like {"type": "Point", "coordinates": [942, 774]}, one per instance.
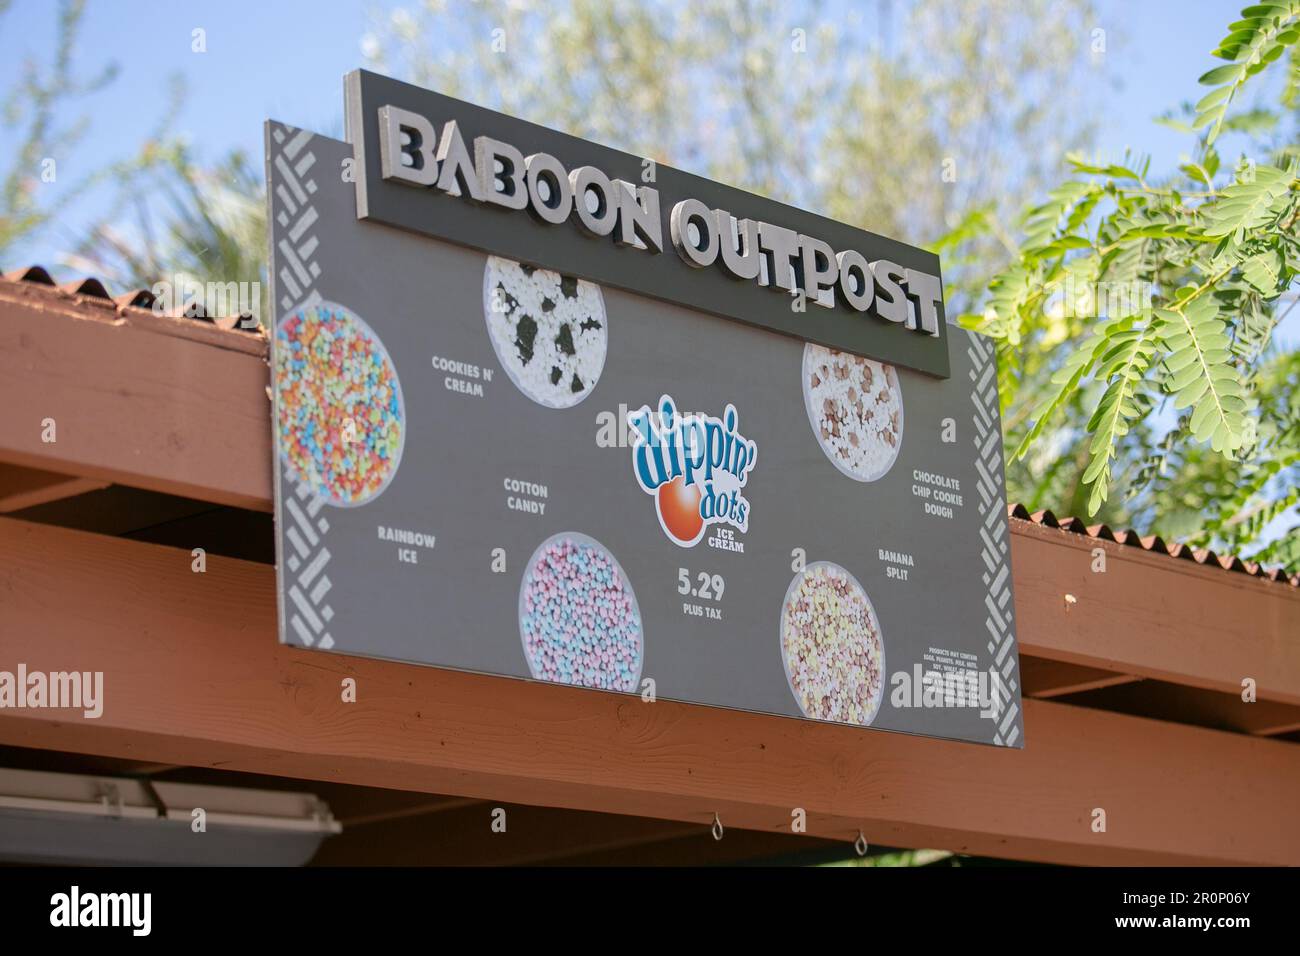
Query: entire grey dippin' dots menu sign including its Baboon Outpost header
{"type": "Point", "coordinates": [525, 448]}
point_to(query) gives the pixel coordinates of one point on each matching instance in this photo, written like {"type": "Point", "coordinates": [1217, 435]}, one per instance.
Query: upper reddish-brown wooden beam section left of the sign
{"type": "Point", "coordinates": [170, 405]}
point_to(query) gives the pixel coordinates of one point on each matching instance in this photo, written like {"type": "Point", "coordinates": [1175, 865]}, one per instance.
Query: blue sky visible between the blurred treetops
{"type": "Point", "coordinates": [287, 60]}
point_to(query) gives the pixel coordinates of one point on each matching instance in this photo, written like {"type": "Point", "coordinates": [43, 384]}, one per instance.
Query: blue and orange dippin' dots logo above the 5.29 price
{"type": "Point", "coordinates": [695, 466]}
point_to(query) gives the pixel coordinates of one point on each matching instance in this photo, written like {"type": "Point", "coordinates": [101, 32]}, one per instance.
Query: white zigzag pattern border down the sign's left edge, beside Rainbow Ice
{"type": "Point", "coordinates": [305, 527]}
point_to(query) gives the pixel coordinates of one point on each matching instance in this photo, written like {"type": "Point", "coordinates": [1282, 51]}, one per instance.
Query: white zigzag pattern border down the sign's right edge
{"type": "Point", "coordinates": [994, 537]}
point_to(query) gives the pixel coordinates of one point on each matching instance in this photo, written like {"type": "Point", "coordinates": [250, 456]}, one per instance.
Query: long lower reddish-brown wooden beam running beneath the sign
{"type": "Point", "coordinates": [194, 676]}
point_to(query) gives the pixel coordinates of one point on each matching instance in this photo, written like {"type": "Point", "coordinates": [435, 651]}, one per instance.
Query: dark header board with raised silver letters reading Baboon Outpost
{"type": "Point", "coordinates": [651, 228]}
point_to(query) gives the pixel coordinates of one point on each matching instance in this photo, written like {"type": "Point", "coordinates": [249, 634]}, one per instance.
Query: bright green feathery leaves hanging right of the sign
{"type": "Point", "coordinates": [1177, 388]}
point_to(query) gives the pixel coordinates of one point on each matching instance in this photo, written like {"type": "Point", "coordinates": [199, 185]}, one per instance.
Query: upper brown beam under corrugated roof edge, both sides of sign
{"type": "Point", "coordinates": [179, 406]}
